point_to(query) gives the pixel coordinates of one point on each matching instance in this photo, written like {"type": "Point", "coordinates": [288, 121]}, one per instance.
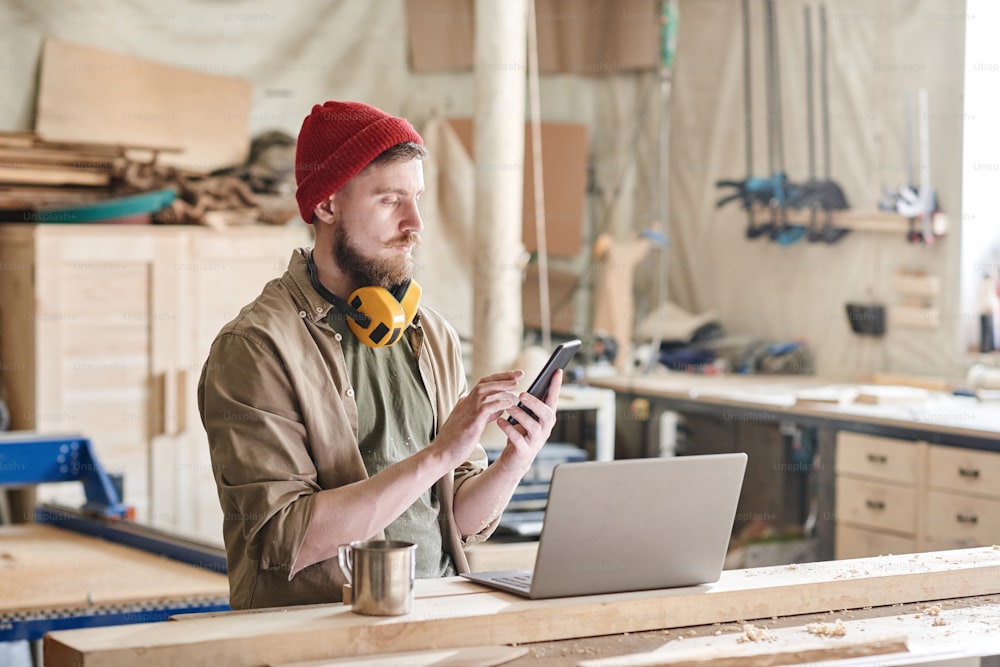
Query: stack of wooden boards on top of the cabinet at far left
{"type": "Point", "coordinates": [36, 174]}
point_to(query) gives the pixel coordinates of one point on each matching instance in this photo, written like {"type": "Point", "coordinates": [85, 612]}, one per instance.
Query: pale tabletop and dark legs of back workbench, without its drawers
{"type": "Point", "coordinates": [800, 401]}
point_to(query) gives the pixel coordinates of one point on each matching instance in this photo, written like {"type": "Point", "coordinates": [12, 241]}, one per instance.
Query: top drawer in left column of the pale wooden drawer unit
{"type": "Point", "coordinates": [881, 458]}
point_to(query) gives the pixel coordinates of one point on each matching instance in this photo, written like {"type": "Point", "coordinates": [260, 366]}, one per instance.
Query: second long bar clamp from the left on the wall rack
{"type": "Point", "coordinates": [782, 190]}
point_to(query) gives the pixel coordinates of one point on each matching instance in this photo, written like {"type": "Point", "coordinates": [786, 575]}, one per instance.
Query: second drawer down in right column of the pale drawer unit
{"type": "Point", "coordinates": [962, 520]}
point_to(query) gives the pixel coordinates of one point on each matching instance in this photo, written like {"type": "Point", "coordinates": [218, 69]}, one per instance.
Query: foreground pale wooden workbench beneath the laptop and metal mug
{"type": "Point", "coordinates": [455, 614]}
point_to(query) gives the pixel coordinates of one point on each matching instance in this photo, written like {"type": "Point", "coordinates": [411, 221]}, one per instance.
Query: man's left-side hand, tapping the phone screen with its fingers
{"type": "Point", "coordinates": [485, 402]}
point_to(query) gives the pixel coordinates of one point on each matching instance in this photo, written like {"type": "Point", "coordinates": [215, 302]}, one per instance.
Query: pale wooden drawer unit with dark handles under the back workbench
{"type": "Point", "coordinates": [897, 496]}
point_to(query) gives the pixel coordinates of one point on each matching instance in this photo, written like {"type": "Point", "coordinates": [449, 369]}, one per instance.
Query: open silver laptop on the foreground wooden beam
{"type": "Point", "coordinates": [631, 524]}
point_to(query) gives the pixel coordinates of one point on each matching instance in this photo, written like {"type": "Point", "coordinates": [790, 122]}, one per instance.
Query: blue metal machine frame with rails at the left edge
{"type": "Point", "coordinates": [28, 458]}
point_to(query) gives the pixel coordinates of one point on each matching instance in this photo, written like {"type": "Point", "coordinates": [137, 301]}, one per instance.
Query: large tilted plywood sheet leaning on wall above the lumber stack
{"type": "Point", "coordinates": [87, 94]}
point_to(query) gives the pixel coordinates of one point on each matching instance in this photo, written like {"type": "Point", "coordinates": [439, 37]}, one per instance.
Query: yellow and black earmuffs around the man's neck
{"type": "Point", "coordinates": [377, 316]}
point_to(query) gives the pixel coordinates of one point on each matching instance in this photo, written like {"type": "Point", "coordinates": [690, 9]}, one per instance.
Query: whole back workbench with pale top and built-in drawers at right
{"type": "Point", "coordinates": [756, 413]}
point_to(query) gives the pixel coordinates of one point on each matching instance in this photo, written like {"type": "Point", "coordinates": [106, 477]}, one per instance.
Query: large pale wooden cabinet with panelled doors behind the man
{"type": "Point", "coordinates": [104, 331]}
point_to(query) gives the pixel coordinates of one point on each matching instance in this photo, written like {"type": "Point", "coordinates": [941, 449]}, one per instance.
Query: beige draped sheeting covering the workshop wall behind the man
{"type": "Point", "coordinates": [298, 54]}
